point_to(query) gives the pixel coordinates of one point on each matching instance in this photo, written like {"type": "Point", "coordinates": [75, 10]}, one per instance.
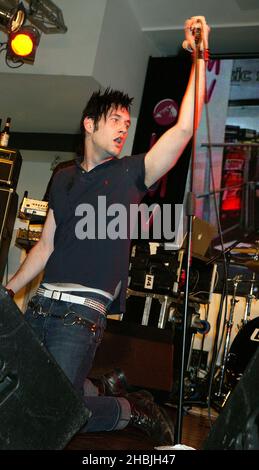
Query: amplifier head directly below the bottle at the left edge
{"type": "Point", "coordinates": [10, 166]}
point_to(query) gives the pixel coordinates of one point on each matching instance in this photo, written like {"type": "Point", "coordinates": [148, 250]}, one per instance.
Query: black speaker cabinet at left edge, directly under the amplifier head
{"type": "Point", "coordinates": [8, 209]}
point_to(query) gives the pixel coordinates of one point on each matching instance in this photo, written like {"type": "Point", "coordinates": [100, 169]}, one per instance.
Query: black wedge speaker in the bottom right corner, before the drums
{"type": "Point", "coordinates": [237, 426]}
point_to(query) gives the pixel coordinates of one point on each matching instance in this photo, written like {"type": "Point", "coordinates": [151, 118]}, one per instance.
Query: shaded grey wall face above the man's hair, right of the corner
{"type": "Point", "coordinates": [123, 52]}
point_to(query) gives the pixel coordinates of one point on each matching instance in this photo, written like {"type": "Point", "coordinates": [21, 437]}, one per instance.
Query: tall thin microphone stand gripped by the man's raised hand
{"type": "Point", "coordinates": [190, 213]}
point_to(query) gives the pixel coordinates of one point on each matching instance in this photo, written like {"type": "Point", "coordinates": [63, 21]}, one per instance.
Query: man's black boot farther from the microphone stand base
{"type": "Point", "coordinates": [113, 383]}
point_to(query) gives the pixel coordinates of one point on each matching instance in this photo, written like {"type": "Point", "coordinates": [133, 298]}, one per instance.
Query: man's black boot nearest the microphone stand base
{"type": "Point", "coordinates": [151, 419]}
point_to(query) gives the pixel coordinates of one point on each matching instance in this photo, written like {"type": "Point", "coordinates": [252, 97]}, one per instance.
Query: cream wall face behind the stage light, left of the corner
{"type": "Point", "coordinates": [72, 53]}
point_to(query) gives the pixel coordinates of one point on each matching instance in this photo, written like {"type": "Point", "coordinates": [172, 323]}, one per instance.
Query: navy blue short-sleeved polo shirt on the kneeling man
{"type": "Point", "coordinates": [81, 254]}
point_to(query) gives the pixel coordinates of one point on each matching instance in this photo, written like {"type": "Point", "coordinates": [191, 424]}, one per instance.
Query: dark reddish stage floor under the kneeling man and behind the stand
{"type": "Point", "coordinates": [194, 431]}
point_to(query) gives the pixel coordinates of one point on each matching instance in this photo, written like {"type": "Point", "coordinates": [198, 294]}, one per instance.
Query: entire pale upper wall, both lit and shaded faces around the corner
{"type": "Point", "coordinates": [103, 41]}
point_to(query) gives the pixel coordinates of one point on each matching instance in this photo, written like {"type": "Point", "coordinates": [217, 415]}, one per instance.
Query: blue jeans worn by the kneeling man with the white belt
{"type": "Point", "coordinates": [73, 346]}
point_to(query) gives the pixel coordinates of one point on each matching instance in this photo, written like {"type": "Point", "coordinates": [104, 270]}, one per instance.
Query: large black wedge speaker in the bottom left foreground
{"type": "Point", "coordinates": [39, 408]}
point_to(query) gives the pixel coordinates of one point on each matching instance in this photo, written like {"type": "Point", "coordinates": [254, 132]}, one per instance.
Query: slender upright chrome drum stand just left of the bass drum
{"type": "Point", "coordinates": [229, 323]}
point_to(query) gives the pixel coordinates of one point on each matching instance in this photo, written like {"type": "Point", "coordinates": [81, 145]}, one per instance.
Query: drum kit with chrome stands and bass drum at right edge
{"type": "Point", "coordinates": [236, 356]}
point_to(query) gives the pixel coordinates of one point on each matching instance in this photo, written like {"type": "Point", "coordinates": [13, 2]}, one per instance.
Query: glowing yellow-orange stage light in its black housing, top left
{"type": "Point", "coordinates": [22, 45]}
